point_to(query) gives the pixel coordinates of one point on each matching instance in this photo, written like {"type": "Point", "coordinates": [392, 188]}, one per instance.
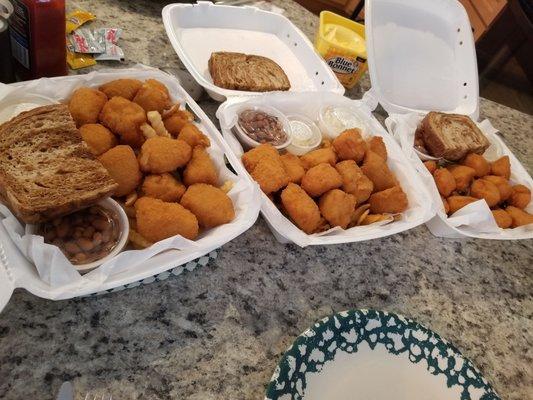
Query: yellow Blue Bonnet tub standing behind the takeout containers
{"type": "Point", "coordinates": [341, 42]}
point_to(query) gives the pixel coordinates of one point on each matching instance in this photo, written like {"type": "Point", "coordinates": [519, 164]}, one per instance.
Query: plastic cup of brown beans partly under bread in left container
{"type": "Point", "coordinates": [88, 237]}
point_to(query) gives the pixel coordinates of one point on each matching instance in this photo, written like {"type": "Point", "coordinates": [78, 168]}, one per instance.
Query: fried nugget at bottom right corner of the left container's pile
{"type": "Point", "coordinates": [210, 204]}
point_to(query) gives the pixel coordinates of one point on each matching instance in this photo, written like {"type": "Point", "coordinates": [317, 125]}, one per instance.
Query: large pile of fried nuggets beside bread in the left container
{"type": "Point", "coordinates": [167, 182]}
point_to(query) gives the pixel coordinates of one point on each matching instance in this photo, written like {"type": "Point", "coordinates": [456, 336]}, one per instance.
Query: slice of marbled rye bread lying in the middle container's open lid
{"type": "Point", "coordinates": [238, 71]}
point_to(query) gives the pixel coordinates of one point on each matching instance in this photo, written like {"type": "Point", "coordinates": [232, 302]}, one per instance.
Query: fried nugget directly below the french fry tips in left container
{"type": "Point", "coordinates": [161, 154]}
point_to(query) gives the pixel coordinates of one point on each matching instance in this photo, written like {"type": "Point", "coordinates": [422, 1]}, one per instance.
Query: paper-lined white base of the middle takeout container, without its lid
{"type": "Point", "coordinates": [308, 104]}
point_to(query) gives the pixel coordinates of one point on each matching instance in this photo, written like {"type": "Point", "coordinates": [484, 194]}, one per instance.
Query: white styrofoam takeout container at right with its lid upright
{"type": "Point", "coordinates": [422, 58]}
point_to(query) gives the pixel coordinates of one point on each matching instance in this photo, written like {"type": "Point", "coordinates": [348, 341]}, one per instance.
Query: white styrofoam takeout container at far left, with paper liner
{"type": "Point", "coordinates": [16, 271]}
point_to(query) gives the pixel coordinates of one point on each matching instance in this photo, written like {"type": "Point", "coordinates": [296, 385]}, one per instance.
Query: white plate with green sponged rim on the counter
{"type": "Point", "coordinates": [375, 355]}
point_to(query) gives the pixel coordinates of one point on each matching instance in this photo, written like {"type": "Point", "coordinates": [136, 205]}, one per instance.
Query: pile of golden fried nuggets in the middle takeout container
{"type": "Point", "coordinates": [344, 183]}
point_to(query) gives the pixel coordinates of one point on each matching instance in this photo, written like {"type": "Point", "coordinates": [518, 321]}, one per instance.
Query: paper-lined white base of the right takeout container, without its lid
{"type": "Point", "coordinates": [476, 219]}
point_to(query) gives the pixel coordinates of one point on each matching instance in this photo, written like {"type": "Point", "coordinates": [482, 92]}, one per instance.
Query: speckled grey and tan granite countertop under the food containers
{"type": "Point", "coordinates": [217, 332]}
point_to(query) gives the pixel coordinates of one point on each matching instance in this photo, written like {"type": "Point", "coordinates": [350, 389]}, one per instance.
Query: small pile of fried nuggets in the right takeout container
{"type": "Point", "coordinates": [475, 178]}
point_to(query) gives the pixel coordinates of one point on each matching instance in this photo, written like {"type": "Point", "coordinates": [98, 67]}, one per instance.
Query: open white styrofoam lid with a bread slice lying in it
{"type": "Point", "coordinates": [197, 30]}
